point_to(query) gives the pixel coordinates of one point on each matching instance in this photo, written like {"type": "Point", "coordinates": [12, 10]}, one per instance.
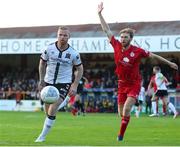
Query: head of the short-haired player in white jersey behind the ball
{"type": "Point", "coordinates": [63, 36]}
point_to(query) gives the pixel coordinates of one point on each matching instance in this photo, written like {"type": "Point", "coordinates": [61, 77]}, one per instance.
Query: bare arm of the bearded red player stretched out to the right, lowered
{"type": "Point", "coordinates": [171, 64]}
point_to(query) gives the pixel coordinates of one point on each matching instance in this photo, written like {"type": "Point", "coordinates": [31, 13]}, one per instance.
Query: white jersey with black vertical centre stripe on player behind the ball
{"type": "Point", "coordinates": [60, 64]}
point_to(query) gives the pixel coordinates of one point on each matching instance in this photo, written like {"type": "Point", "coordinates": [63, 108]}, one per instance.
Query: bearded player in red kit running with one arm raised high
{"type": "Point", "coordinates": [127, 59]}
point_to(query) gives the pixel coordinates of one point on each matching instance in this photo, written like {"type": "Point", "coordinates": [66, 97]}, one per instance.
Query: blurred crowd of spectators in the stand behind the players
{"type": "Point", "coordinates": [99, 93]}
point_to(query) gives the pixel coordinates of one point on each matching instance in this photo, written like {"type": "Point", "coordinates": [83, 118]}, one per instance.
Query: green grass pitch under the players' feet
{"type": "Point", "coordinates": [22, 128]}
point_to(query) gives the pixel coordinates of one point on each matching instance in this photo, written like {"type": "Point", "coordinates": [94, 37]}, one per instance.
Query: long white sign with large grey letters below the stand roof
{"type": "Point", "coordinates": [169, 43]}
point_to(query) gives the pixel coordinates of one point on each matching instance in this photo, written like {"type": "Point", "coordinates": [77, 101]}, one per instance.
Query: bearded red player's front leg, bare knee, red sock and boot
{"type": "Point", "coordinates": [126, 116]}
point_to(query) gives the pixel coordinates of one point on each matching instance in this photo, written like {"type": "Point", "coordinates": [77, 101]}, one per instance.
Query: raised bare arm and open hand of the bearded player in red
{"type": "Point", "coordinates": [104, 25]}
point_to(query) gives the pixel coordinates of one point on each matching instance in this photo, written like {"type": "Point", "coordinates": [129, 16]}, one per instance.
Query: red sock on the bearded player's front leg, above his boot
{"type": "Point", "coordinates": [124, 124]}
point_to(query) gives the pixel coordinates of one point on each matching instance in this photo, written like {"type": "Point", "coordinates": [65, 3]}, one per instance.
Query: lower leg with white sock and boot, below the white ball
{"type": "Point", "coordinates": [51, 111]}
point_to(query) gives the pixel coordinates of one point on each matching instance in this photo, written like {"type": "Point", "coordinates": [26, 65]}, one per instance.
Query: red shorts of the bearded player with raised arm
{"type": "Point", "coordinates": [128, 90]}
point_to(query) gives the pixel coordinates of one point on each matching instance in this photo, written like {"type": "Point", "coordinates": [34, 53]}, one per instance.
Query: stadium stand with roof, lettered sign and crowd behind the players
{"type": "Point", "coordinates": [20, 49]}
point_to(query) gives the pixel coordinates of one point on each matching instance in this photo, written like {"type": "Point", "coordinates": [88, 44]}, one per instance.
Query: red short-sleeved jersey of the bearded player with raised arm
{"type": "Point", "coordinates": [128, 61]}
